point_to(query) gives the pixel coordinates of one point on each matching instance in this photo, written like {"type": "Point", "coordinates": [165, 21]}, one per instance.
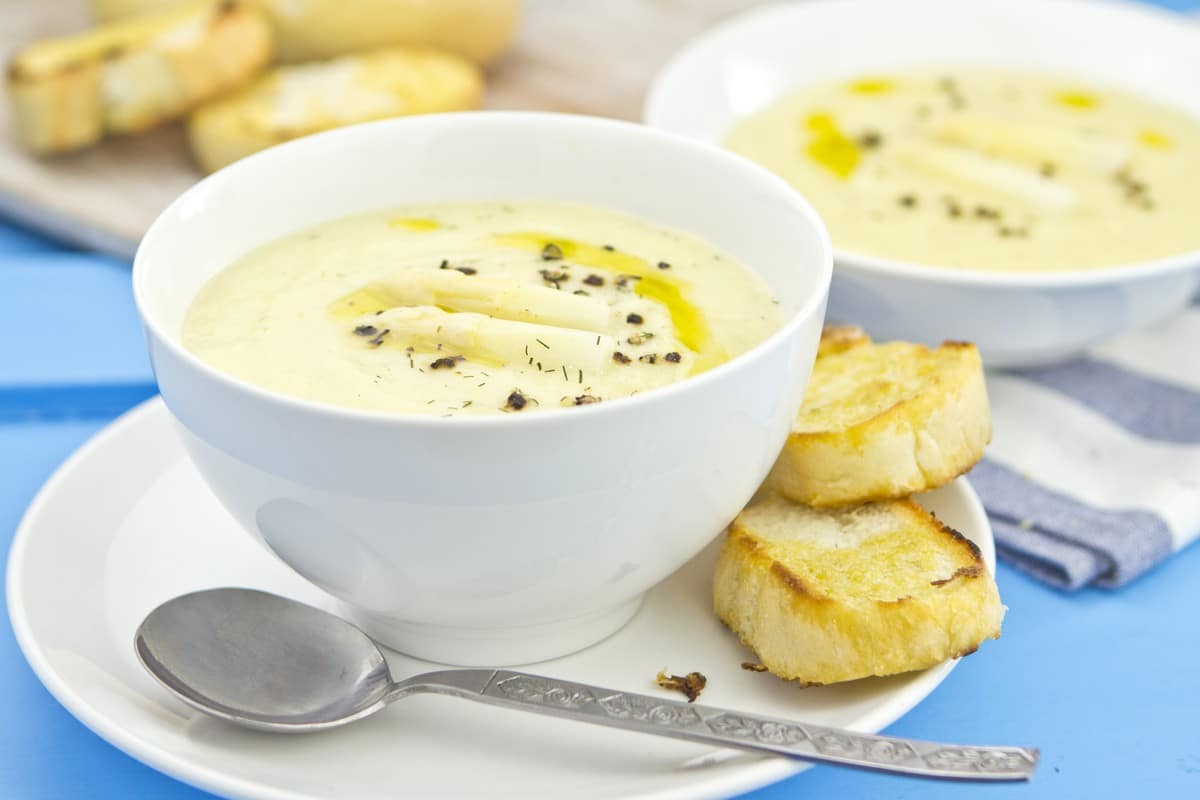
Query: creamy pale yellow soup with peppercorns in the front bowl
{"type": "Point", "coordinates": [478, 309]}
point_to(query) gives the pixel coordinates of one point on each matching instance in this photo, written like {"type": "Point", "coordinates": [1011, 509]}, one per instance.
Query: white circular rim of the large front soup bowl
{"type": "Point", "coordinates": [296, 151]}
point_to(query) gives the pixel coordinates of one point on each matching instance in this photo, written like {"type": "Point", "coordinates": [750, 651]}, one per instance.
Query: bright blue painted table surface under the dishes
{"type": "Point", "coordinates": [1103, 682]}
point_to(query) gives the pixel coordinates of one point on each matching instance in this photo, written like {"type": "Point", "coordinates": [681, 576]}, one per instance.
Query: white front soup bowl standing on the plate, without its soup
{"type": "Point", "coordinates": [489, 540]}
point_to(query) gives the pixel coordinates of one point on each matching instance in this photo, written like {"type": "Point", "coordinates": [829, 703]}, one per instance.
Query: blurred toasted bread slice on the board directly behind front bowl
{"type": "Point", "coordinates": [290, 103]}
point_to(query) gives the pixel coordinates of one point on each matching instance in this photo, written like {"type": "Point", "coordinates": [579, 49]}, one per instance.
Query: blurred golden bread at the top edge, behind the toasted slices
{"type": "Point", "coordinates": [308, 31]}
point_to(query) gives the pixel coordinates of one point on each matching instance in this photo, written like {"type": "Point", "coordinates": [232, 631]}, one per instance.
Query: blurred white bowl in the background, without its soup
{"type": "Point", "coordinates": [1016, 318]}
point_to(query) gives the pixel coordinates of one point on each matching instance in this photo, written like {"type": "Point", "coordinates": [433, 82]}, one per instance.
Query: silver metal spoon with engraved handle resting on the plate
{"type": "Point", "coordinates": [272, 664]}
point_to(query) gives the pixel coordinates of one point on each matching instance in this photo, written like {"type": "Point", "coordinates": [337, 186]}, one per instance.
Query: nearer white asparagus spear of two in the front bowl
{"type": "Point", "coordinates": [494, 340]}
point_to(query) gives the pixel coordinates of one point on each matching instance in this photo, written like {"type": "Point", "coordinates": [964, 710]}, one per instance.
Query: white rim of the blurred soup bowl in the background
{"type": "Point", "coordinates": [659, 92]}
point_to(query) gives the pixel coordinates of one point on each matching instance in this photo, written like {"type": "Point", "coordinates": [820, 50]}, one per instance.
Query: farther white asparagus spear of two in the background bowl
{"type": "Point", "coordinates": [1039, 145]}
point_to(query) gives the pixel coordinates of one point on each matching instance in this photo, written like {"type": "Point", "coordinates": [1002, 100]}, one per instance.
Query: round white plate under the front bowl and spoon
{"type": "Point", "coordinates": [127, 524]}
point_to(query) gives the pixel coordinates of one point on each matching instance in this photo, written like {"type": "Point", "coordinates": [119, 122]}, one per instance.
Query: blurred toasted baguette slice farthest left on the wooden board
{"type": "Point", "coordinates": [127, 77]}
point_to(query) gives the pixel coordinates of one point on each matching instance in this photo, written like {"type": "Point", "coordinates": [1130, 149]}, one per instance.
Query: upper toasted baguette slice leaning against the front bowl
{"type": "Point", "coordinates": [884, 422]}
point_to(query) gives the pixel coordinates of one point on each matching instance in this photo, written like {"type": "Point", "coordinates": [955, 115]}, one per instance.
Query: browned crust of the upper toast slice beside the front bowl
{"type": "Point", "coordinates": [927, 440]}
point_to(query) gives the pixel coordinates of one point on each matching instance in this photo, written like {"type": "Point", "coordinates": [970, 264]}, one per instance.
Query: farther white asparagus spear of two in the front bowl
{"type": "Point", "coordinates": [527, 304]}
